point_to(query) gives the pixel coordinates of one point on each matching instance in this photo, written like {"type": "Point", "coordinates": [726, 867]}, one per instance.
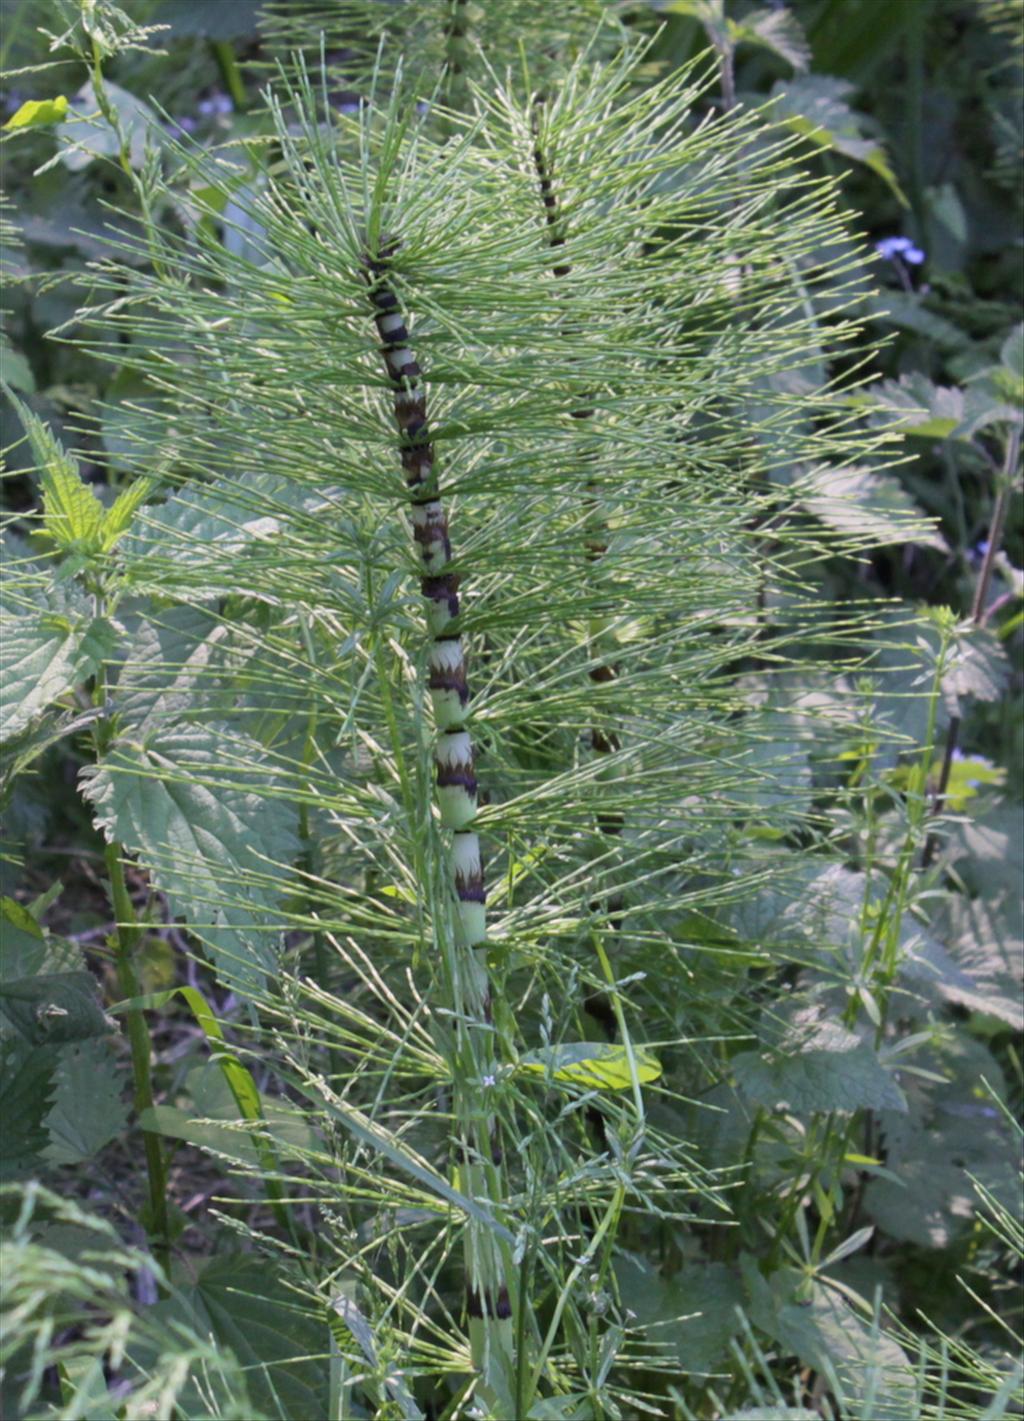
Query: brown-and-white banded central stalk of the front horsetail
{"type": "Point", "coordinates": [474, 1065]}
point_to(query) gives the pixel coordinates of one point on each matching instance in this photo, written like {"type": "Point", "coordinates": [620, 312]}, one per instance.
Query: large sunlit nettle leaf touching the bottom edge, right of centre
{"type": "Point", "coordinates": [829, 1335]}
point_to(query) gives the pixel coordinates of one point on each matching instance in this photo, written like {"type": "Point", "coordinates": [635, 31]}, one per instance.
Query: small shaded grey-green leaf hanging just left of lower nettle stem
{"type": "Point", "coordinates": [90, 1109]}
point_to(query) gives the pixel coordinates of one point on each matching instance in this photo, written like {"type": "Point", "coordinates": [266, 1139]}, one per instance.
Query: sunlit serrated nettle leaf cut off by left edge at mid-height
{"type": "Point", "coordinates": [46, 654]}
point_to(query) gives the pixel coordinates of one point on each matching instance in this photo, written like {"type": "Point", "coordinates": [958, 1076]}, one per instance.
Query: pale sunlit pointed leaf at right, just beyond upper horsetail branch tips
{"type": "Point", "coordinates": [873, 507]}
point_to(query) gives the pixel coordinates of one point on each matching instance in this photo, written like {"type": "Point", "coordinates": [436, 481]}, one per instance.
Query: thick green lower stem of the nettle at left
{"type": "Point", "coordinates": [138, 1039]}
